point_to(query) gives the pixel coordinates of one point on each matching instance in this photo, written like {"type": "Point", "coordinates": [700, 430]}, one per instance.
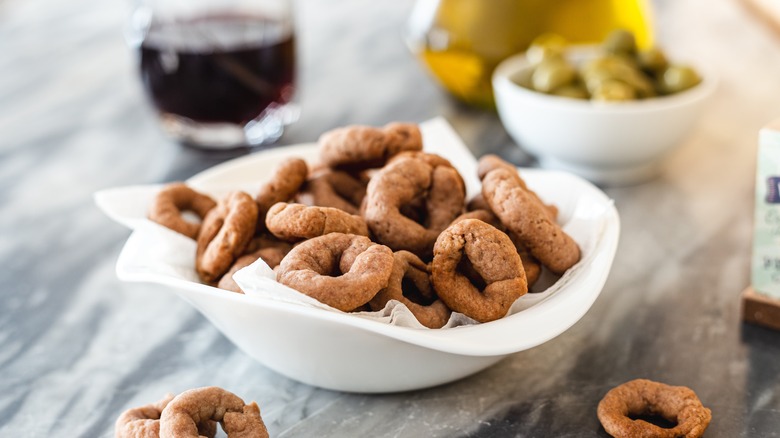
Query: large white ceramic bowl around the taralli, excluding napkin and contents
{"type": "Point", "coordinates": [345, 352]}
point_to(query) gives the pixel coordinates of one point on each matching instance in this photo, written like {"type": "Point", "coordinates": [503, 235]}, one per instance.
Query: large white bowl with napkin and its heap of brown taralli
{"type": "Point", "coordinates": [379, 259]}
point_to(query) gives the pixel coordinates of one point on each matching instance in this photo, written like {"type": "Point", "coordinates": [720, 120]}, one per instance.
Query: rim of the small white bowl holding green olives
{"type": "Point", "coordinates": [502, 83]}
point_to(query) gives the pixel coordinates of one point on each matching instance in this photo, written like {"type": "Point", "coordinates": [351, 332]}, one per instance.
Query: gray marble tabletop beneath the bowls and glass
{"type": "Point", "coordinates": [77, 346]}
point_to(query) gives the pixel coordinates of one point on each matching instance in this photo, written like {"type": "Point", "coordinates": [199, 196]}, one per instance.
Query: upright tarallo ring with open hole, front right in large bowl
{"type": "Point", "coordinates": [492, 255]}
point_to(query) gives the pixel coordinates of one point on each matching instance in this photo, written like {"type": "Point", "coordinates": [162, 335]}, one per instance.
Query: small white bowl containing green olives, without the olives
{"type": "Point", "coordinates": [607, 143]}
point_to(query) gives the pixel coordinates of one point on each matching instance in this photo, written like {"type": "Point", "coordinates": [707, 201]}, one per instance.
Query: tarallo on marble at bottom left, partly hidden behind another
{"type": "Point", "coordinates": [144, 422]}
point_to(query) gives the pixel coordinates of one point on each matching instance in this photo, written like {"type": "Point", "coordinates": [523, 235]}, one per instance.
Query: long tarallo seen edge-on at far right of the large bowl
{"type": "Point", "coordinates": [527, 218]}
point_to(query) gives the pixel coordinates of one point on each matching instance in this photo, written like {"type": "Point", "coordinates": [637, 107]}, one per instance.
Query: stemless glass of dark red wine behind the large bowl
{"type": "Point", "coordinates": [220, 73]}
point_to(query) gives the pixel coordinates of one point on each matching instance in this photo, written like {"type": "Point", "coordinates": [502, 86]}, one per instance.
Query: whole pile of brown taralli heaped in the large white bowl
{"type": "Point", "coordinates": [380, 220]}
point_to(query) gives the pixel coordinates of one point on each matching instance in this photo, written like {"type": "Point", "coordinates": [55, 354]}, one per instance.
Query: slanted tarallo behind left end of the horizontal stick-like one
{"type": "Point", "coordinates": [287, 179]}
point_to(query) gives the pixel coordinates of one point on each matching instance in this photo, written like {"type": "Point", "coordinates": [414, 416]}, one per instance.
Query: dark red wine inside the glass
{"type": "Point", "coordinates": [220, 68]}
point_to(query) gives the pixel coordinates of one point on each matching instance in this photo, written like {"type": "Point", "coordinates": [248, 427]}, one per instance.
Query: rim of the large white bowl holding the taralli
{"type": "Point", "coordinates": [472, 340]}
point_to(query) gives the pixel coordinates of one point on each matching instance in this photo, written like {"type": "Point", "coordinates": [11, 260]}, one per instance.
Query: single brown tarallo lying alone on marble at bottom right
{"type": "Point", "coordinates": [677, 404]}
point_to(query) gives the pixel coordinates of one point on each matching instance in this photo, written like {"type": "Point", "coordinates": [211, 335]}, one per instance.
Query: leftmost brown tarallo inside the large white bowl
{"type": "Point", "coordinates": [174, 199]}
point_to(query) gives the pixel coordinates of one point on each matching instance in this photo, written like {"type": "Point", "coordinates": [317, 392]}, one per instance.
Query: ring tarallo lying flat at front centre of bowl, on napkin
{"type": "Point", "coordinates": [343, 271]}
